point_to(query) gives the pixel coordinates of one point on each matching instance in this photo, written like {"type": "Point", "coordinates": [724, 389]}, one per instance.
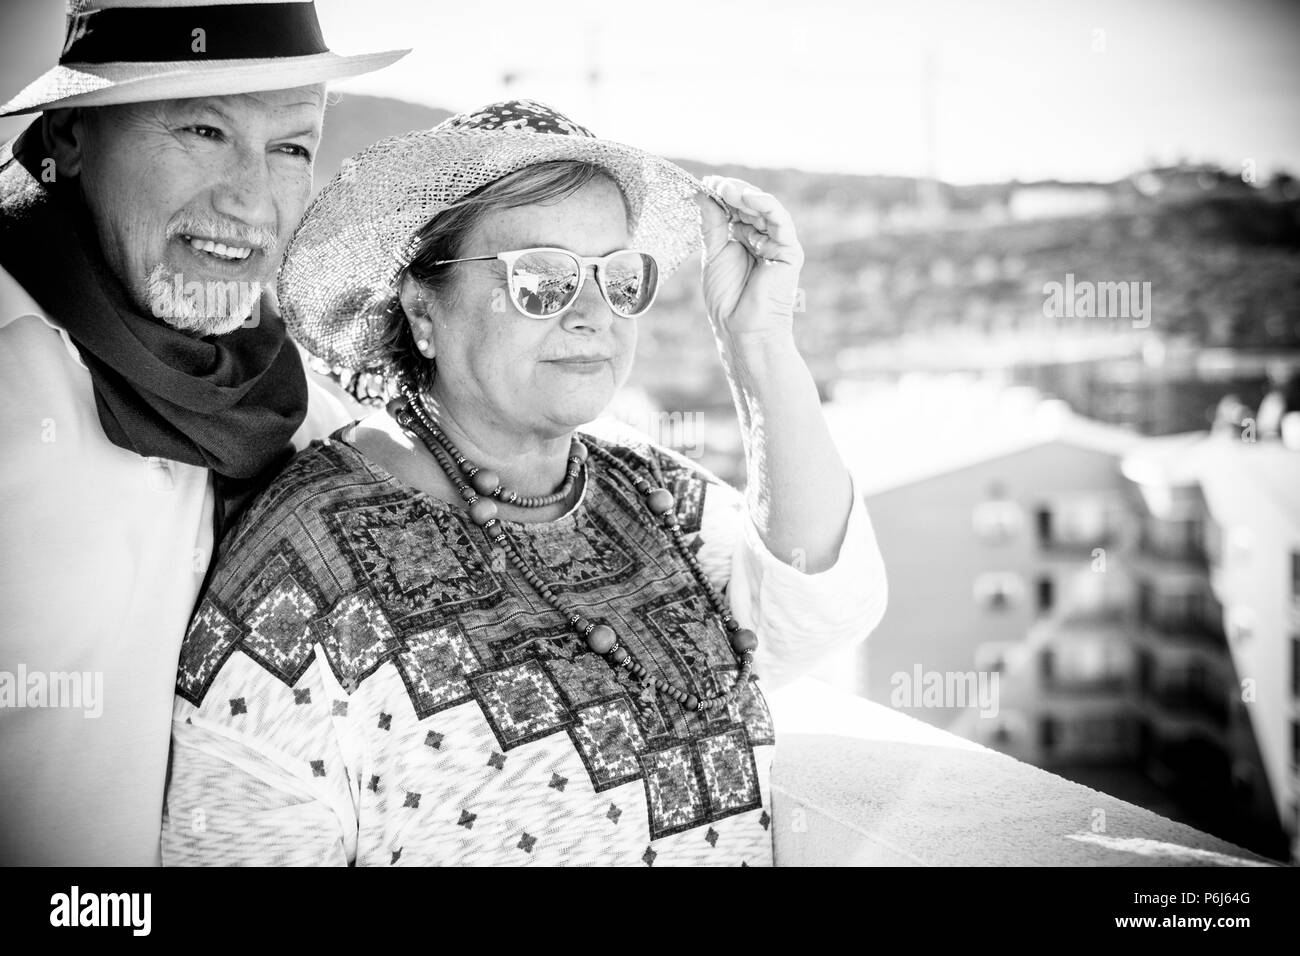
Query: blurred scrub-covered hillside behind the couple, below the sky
{"type": "Point", "coordinates": [895, 258]}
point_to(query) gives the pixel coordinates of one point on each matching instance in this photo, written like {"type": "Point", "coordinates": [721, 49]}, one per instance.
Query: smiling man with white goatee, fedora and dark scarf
{"type": "Point", "coordinates": [146, 386]}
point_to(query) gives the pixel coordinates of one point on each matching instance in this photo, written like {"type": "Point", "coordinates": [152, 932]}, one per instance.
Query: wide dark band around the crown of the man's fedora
{"type": "Point", "coordinates": [218, 32]}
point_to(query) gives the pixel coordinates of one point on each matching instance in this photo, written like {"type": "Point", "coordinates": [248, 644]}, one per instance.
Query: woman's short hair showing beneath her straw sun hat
{"type": "Point", "coordinates": [445, 236]}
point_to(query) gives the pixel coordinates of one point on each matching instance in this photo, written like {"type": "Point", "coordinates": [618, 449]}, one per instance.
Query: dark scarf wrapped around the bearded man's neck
{"type": "Point", "coordinates": [226, 403]}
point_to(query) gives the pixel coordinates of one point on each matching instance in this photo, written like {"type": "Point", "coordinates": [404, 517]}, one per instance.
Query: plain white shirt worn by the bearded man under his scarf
{"type": "Point", "coordinates": [102, 556]}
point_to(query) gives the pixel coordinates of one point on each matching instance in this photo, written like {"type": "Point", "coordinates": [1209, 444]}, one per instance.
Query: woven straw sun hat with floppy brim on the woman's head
{"type": "Point", "coordinates": [343, 266]}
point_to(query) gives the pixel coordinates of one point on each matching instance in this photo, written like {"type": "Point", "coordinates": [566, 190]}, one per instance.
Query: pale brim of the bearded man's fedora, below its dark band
{"type": "Point", "coordinates": [103, 85]}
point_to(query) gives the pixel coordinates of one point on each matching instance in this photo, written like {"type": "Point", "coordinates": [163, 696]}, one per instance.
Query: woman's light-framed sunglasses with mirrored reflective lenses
{"type": "Point", "coordinates": [545, 282]}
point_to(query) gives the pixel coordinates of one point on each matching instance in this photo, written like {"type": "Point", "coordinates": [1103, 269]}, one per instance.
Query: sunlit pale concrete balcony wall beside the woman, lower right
{"type": "Point", "coordinates": [859, 784]}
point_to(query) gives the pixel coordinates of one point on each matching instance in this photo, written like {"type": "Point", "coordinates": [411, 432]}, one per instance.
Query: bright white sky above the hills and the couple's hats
{"type": "Point", "coordinates": [1030, 89]}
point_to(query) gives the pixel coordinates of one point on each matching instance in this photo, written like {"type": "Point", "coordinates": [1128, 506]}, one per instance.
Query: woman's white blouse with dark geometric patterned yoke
{"type": "Point", "coordinates": [366, 684]}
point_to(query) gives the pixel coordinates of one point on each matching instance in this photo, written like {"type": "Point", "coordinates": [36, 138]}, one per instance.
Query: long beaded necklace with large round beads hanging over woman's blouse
{"type": "Point", "coordinates": [484, 486]}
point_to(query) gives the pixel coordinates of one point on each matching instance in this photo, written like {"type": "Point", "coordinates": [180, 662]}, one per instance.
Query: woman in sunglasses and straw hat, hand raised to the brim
{"type": "Point", "coordinates": [465, 631]}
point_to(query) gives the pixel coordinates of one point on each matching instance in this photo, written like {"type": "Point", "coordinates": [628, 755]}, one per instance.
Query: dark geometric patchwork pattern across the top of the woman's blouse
{"type": "Point", "coordinates": [375, 573]}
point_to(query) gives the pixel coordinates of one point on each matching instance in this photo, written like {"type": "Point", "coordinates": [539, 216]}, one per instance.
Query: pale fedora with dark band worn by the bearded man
{"type": "Point", "coordinates": [133, 51]}
